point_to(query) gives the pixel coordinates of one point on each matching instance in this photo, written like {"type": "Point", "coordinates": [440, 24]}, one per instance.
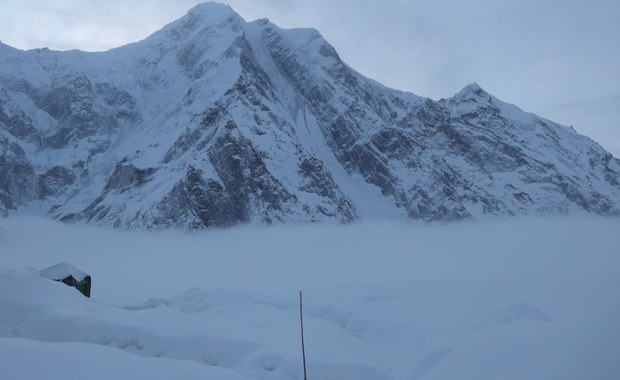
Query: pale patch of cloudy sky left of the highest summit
{"type": "Point", "coordinates": [86, 25]}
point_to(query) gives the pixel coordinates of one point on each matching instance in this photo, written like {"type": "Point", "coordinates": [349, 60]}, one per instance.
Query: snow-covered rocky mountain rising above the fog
{"type": "Point", "coordinates": [214, 121]}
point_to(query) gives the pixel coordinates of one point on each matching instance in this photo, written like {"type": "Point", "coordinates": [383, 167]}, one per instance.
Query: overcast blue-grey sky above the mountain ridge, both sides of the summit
{"type": "Point", "coordinates": [557, 58]}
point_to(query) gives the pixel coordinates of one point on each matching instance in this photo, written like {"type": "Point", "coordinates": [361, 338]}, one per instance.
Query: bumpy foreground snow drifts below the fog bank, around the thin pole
{"type": "Point", "coordinates": [450, 329]}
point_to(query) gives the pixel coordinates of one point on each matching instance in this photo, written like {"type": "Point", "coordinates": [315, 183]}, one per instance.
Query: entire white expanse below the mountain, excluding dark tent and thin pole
{"type": "Point", "coordinates": [509, 299]}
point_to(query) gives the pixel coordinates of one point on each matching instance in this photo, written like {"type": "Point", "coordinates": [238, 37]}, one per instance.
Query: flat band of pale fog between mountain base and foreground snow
{"type": "Point", "coordinates": [302, 257]}
